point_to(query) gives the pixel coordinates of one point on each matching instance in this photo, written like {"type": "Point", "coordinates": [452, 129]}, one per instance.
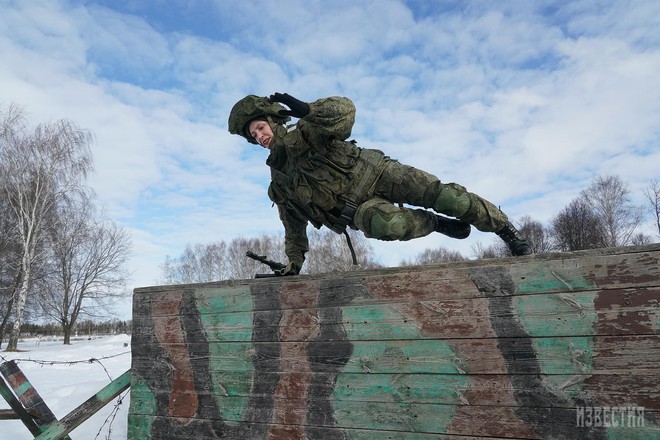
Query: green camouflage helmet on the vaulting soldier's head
{"type": "Point", "coordinates": [252, 107]}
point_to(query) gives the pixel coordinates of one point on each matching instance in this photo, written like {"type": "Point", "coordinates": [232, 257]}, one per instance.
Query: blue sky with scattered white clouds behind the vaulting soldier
{"type": "Point", "coordinates": [522, 102]}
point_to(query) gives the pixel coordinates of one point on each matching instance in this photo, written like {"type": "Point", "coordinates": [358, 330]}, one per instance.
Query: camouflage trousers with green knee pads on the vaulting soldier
{"type": "Point", "coordinates": [384, 217]}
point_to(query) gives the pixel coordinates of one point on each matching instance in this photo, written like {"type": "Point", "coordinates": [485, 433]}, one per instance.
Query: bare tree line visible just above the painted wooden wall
{"type": "Point", "coordinates": [603, 215]}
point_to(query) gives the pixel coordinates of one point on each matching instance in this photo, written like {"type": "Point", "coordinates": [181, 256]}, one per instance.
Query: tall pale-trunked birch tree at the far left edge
{"type": "Point", "coordinates": [40, 166]}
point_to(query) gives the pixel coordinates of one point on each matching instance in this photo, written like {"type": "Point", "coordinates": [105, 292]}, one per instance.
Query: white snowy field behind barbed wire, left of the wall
{"type": "Point", "coordinates": [65, 378]}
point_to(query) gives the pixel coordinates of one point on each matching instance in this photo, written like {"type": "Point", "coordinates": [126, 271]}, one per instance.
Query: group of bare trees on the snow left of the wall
{"type": "Point", "coordinates": [61, 259]}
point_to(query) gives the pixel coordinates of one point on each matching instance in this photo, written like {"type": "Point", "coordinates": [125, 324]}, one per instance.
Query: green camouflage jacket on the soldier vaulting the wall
{"type": "Point", "coordinates": [314, 170]}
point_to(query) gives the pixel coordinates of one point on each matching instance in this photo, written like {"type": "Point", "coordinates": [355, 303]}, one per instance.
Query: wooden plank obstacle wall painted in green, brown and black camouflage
{"type": "Point", "coordinates": [552, 346]}
